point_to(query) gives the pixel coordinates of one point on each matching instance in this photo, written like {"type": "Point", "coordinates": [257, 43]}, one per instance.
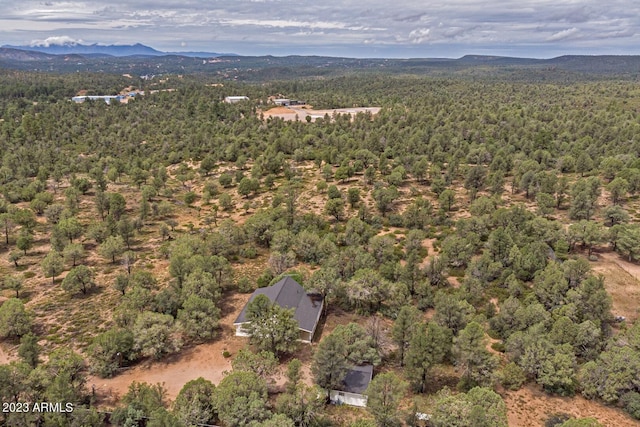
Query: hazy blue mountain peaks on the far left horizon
{"type": "Point", "coordinates": [110, 50]}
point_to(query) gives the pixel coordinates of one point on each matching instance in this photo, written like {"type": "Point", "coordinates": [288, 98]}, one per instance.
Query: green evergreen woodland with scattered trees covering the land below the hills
{"type": "Point", "coordinates": [458, 237]}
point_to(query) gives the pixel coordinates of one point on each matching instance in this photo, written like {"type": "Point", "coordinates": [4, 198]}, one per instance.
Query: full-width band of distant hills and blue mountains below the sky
{"type": "Point", "coordinates": [143, 60]}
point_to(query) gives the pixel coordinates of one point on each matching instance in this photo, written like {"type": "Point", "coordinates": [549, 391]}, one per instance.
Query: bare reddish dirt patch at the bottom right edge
{"type": "Point", "coordinates": [530, 406]}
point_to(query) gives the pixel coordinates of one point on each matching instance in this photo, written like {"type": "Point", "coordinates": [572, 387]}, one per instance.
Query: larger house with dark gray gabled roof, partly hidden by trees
{"type": "Point", "coordinates": [288, 293]}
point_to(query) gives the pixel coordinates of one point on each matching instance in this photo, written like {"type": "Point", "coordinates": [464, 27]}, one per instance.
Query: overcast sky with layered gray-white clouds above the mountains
{"type": "Point", "coordinates": [355, 28]}
